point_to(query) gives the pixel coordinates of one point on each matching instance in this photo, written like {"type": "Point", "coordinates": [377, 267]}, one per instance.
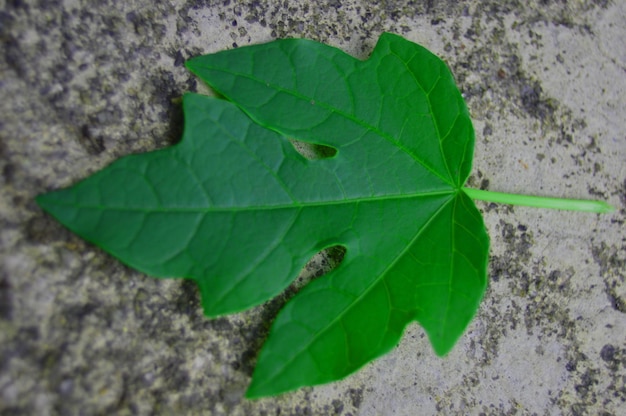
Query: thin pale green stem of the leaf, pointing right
{"type": "Point", "coordinates": [539, 201]}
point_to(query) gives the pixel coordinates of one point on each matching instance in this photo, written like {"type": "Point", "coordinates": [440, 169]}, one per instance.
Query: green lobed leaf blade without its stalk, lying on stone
{"type": "Point", "coordinates": [235, 208]}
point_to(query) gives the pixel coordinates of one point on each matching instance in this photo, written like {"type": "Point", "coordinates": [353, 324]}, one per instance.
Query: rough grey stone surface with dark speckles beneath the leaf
{"type": "Point", "coordinates": [84, 82]}
